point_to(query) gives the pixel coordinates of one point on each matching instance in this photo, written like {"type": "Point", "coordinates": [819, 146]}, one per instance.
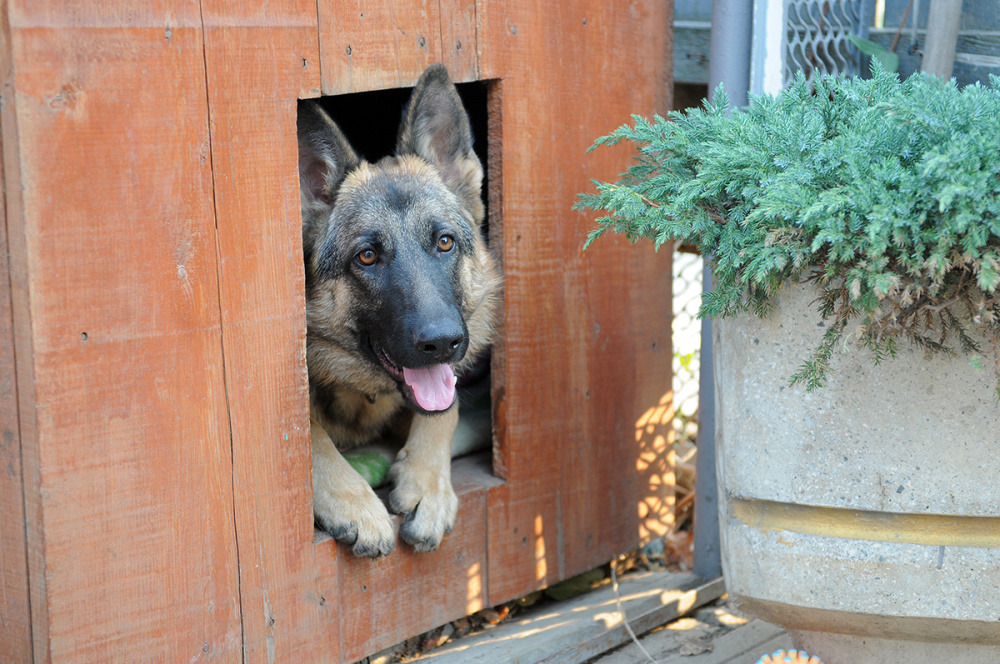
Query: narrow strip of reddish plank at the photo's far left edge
{"type": "Point", "coordinates": [15, 607]}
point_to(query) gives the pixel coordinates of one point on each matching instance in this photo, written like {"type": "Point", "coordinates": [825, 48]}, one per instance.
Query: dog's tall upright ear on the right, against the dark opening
{"type": "Point", "coordinates": [436, 127]}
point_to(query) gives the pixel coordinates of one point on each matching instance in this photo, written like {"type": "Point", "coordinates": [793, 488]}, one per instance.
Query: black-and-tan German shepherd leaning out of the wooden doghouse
{"type": "Point", "coordinates": [401, 295]}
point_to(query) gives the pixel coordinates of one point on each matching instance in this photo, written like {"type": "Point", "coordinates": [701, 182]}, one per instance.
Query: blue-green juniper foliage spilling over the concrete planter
{"type": "Point", "coordinates": [885, 193]}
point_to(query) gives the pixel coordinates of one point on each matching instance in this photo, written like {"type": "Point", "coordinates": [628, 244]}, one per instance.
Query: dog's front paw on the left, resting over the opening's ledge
{"type": "Point", "coordinates": [354, 515]}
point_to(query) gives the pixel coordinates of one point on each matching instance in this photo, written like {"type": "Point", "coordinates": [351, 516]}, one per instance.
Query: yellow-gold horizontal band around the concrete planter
{"type": "Point", "coordinates": [931, 529]}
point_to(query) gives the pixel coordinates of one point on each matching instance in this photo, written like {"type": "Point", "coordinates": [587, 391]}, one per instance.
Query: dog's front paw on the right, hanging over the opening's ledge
{"type": "Point", "coordinates": [424, 495]}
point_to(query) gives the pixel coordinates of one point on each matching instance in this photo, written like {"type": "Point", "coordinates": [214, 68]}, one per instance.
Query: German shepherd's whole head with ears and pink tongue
{"type": "Point", "coordinates": [399, 281]}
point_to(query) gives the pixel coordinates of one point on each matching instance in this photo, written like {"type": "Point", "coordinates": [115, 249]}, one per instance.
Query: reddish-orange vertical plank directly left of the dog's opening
{"type": "Point", "coordinates": [261, 57]}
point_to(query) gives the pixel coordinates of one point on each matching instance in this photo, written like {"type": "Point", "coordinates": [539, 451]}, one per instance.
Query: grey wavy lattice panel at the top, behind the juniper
{"type": "Point", "coordinates": [816, 34]}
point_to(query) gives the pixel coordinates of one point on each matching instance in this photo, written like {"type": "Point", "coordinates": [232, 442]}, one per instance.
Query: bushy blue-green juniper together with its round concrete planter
{"type": "Point", "coordinates": [853, 231]}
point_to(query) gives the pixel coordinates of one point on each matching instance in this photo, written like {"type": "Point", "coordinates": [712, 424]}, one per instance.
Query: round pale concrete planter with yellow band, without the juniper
{"type": "Point", "coordinates": [865, 516]}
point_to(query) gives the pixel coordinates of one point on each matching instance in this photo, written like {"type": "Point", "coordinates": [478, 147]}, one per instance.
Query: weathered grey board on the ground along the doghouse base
{"type": "Point", "coordinates": [582, 628]}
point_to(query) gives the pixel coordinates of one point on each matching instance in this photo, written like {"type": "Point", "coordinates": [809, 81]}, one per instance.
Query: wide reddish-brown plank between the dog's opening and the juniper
{"type": "Point", "coordinates": [587, 348]}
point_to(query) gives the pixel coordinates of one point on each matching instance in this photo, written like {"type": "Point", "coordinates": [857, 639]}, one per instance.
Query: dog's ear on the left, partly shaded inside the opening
{"type": "Point", "coordinates": [325, 155]}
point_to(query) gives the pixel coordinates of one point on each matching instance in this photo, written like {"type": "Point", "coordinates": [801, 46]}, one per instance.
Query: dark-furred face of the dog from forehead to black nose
{"type": "Point", "coordinates": [414, 235]}
